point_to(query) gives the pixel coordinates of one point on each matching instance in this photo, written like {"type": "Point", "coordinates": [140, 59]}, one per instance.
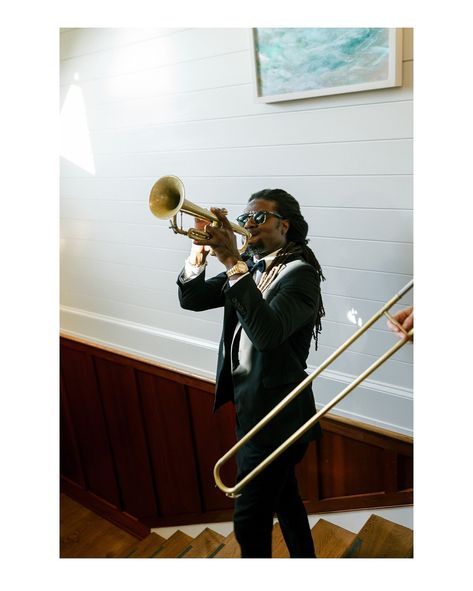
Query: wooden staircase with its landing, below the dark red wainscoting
{"type": "Point", "coordinates": [92, 536]}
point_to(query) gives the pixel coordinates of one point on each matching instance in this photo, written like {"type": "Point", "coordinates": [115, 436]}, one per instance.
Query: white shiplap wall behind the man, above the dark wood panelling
{"type": "Point", "coordinates": [141, 103]}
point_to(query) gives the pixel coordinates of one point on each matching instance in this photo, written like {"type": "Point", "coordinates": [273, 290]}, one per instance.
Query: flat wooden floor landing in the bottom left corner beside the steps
{"type": "Point", "coordinates": [86, 535]}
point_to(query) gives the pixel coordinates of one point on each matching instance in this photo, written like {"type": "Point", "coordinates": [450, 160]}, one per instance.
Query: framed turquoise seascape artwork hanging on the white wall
{"type": "Point", "coordinates": [297, 63]}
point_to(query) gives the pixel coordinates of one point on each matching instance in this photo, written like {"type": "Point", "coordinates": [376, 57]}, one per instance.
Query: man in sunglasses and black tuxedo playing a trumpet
{"type": "Point", "coordinates": [272, 310]}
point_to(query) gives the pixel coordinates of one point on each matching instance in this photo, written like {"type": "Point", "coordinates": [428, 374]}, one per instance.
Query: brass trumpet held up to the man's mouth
{"type": "Point", "coordinates": [167, 199]}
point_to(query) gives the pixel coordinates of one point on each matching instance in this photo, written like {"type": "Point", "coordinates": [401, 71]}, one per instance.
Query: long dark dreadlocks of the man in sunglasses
{"type": "Point", "coordinates": [296, 246]}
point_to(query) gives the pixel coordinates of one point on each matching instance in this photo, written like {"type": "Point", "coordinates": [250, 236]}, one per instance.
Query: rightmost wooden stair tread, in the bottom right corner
{"type": "Point", "coordinates": [380, 538]}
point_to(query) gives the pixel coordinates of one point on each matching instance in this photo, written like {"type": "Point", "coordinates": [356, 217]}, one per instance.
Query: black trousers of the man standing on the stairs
{"type": "Point", "coordinates": [273, 491]}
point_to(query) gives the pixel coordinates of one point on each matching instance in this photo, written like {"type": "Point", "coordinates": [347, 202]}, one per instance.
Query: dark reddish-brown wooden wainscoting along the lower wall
{"type": "Point", "coordinates": [139, 441]}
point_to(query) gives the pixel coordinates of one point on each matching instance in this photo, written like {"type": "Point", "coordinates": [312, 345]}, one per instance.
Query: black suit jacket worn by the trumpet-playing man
{"type": "Point", "coordinates": [277, 335]}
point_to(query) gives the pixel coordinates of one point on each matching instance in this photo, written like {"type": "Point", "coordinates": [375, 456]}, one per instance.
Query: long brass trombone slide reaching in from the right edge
{"type": "Point", "coordinates": [234, 491]}
